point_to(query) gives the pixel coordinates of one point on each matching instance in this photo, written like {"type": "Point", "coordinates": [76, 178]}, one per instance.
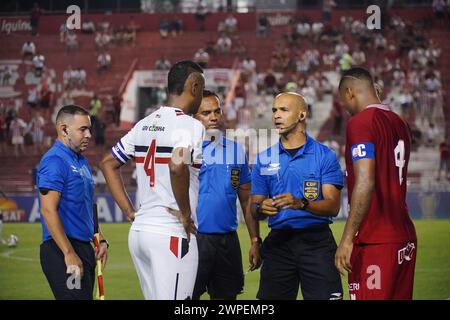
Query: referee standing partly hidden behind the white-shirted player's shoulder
{"type": "Point", "coordinates": [224, 176]}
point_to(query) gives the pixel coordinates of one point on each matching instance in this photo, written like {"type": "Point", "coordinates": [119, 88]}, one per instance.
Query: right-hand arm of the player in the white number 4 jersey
{"type": "Point", "coordinates": [179, 180]}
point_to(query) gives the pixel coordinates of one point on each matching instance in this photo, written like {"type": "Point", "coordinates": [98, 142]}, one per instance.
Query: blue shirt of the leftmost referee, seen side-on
{"type": "Point", "coordinates": [64, 171]}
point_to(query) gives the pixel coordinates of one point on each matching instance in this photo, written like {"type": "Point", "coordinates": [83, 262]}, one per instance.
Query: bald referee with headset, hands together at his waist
{"type": "Point", "coordinates": [299, 190]}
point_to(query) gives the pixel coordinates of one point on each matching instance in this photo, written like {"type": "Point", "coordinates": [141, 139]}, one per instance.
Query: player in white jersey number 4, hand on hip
{"type": "Point", "coordinates": [166, 146]}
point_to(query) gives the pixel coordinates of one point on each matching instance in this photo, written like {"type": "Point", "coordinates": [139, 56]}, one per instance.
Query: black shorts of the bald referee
{"type": "Point", "coordinates": [299, 257]}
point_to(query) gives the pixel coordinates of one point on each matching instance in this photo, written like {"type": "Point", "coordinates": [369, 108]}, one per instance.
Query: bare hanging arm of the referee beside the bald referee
{"type": "Point", "coordinates": [252, 226]}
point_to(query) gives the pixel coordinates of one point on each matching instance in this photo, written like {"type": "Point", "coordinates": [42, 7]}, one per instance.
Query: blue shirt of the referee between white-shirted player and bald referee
{"type": "Point", "coordinates": [224, 169]}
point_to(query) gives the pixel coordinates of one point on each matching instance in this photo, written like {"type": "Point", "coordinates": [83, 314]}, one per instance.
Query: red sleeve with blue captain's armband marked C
{"type": "Point", "coordinates": [360, 138]}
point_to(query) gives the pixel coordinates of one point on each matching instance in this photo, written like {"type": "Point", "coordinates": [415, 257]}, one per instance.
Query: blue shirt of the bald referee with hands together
{"type": "Point", "coordinates": [302, 175]}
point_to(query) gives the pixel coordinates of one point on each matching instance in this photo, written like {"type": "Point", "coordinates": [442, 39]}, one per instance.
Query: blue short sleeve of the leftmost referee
{"type": "Point", "coordinates": [52, 174]}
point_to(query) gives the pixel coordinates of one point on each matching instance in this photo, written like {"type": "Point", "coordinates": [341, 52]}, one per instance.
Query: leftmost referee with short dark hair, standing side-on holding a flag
{"type": "Point", "coordinates": [66, 191]}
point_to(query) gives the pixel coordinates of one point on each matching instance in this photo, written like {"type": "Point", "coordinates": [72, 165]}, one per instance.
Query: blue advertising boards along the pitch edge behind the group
{"type": "Point", "coordinates": [25, 208]}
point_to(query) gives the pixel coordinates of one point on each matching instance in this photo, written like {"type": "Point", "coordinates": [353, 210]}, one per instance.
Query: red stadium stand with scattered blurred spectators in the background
{"type": "Point", "coordinates": [251, 99]}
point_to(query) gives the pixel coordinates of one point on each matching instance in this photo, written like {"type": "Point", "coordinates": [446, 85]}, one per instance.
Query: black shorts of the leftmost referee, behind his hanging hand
{"type": "Point", "coordinates": [54, 267]}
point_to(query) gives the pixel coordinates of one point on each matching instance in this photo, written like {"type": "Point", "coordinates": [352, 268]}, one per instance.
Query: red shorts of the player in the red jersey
{"type": "Point", "coordinates": [382, 271]}
